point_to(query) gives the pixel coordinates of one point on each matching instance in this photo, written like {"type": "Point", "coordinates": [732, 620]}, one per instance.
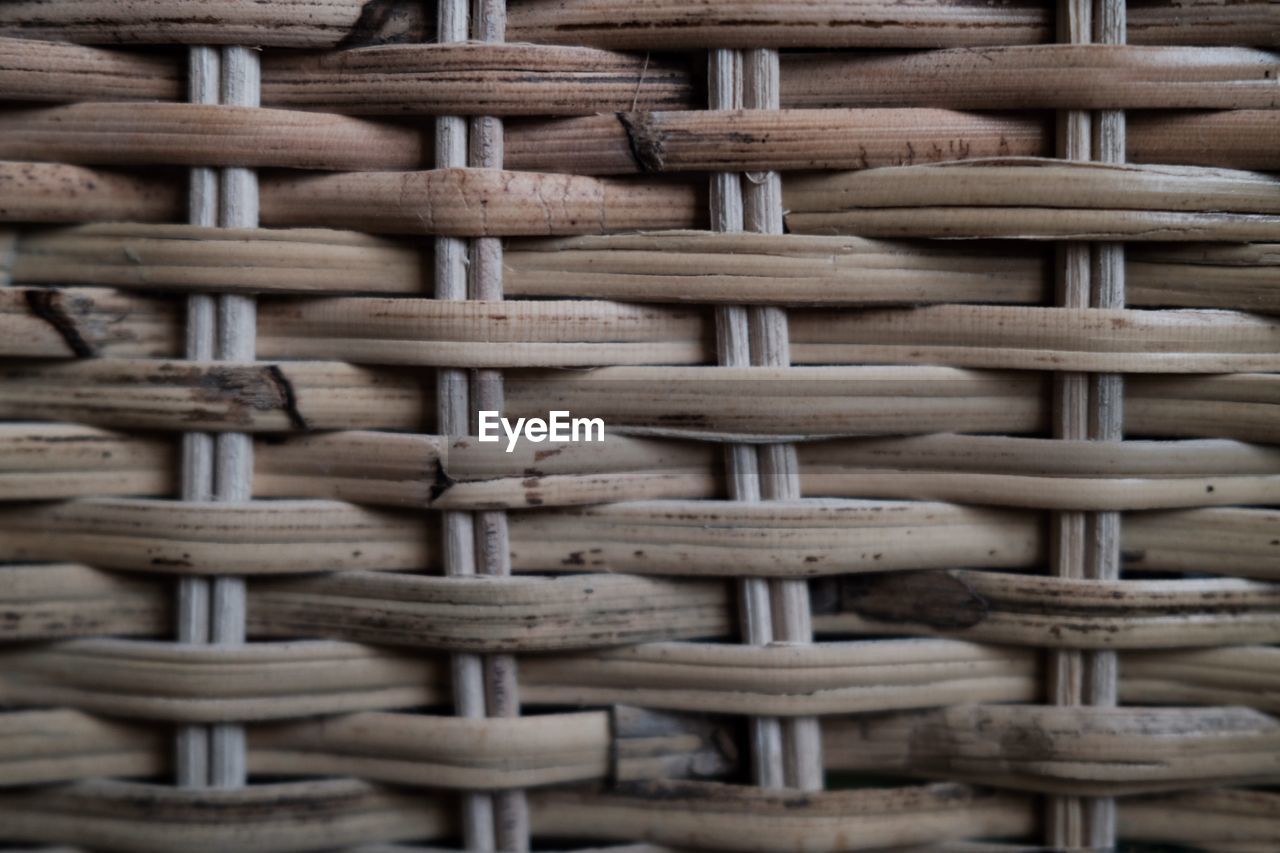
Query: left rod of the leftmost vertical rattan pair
{"type": "Point", "coordinates": [204, 86]}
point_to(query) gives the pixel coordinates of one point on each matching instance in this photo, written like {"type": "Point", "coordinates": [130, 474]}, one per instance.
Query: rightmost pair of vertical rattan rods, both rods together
{"type": "Point", "coordinates": [1087, 407]}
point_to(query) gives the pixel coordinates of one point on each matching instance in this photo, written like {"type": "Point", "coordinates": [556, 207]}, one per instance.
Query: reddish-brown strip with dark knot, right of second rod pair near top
{"type": "Point", "coordinates": [674, 143]}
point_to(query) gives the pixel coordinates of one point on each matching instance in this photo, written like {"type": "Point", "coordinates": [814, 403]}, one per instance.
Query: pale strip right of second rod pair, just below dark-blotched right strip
{"type": "Point", "coordinates": [877, 676]}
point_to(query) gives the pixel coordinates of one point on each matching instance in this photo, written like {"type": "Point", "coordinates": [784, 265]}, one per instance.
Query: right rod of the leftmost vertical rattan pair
{"type": "Point", "coordinates": [234, 454]}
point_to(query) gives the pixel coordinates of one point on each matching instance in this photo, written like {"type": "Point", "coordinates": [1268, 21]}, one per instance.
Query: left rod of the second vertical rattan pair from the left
{"type": "Point", "coordinates": [454, 402]}
